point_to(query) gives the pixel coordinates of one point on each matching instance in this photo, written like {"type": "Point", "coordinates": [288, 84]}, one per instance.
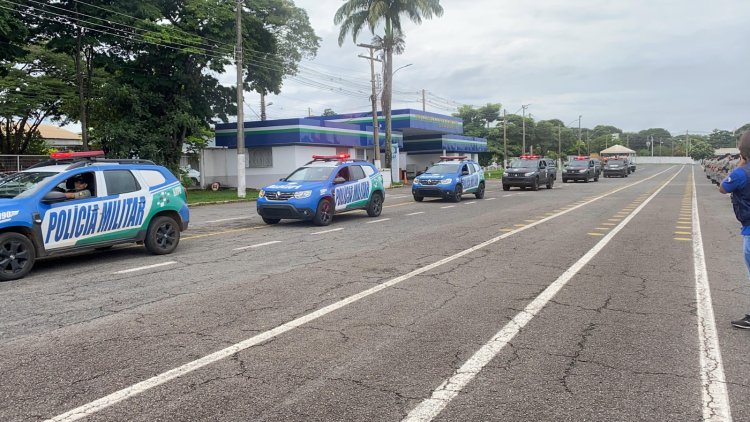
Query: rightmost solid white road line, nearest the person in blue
{"type": "Point", "coordinates": [715, 396]}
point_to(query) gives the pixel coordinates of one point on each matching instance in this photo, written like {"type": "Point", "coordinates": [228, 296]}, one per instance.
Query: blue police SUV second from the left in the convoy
{"type": "Point", "coordinates": [327, 185]}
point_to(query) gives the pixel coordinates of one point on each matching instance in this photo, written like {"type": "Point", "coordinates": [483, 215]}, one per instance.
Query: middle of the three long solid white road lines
{"type": "Point", "coordinates": [449, 389]}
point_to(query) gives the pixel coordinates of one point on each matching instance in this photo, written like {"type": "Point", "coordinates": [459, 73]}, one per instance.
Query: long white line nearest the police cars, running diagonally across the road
{"type": "Point", "coordinates": [138, 388]}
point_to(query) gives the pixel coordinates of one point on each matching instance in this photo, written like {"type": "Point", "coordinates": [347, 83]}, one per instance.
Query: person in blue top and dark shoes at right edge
{"type": "Point", "coordinates": [738, 184]}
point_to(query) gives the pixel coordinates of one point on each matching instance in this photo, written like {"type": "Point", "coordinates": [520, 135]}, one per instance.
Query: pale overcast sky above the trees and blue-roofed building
{"type": "Point", "coordinates": [635, 64]}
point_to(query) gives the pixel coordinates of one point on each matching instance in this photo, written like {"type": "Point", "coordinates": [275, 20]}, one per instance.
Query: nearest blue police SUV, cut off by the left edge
{"type": "Point", "coordinates": [129, 201]}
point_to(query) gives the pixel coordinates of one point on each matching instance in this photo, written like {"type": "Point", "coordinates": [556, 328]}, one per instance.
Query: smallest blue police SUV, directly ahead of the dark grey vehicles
{"type": "Point", "coordinates": [450, 178]}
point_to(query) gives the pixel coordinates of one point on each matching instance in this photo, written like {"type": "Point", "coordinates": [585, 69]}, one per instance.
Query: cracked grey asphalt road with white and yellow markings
{"type": "Point", "coordinates": [581, 303]}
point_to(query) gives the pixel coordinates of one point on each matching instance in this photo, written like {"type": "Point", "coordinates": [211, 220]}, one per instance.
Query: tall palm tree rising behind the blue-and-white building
{"type": "Point", "coordinates": [353, 16]}
